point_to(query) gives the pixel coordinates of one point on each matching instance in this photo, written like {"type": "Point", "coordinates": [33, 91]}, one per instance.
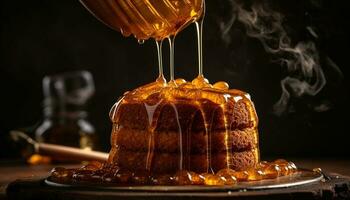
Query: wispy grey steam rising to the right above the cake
{"type": "Point", "coordinates": [302, 61]}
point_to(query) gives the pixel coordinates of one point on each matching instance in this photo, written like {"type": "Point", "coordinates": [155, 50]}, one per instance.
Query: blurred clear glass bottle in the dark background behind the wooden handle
{"type": "Point", "coordinates": [65, 117]}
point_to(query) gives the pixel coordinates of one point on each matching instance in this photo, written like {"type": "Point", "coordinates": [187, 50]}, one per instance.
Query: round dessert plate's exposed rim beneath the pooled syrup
{"type": "Point", "coordinates": [302, 177]}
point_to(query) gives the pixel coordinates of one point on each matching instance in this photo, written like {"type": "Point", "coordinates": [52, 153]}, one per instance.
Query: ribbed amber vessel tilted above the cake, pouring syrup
{"type": "Point", "coordinates": [146, 19]}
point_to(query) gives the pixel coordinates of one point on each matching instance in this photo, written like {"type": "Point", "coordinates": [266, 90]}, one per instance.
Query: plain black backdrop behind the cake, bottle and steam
{"type": "Point", "coordinates": [41, 37]}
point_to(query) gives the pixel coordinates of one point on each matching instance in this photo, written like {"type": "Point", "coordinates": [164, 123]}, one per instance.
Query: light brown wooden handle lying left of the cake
{"type": "Point", "coordinates": [70, 153]}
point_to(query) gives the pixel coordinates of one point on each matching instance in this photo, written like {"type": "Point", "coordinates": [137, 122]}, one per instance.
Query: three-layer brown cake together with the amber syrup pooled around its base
{"type": "Point", "coordinates": [180, 133]}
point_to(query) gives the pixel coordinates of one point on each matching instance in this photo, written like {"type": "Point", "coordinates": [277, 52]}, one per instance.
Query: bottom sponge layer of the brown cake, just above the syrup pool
{"type": "Point", "coordinates": [163, 163]}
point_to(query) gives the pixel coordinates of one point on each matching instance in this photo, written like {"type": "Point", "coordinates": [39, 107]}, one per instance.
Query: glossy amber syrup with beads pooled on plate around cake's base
{"type": "Point", "coordinates": [106, 174]}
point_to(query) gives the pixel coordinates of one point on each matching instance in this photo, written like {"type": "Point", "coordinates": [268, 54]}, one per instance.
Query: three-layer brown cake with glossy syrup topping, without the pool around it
{"type": "Point", "coordinates": [163, 129]}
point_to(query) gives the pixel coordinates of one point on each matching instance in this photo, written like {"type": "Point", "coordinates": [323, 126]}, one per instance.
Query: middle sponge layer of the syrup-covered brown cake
{"type": "Point", "coordinates": [195, 143]}
